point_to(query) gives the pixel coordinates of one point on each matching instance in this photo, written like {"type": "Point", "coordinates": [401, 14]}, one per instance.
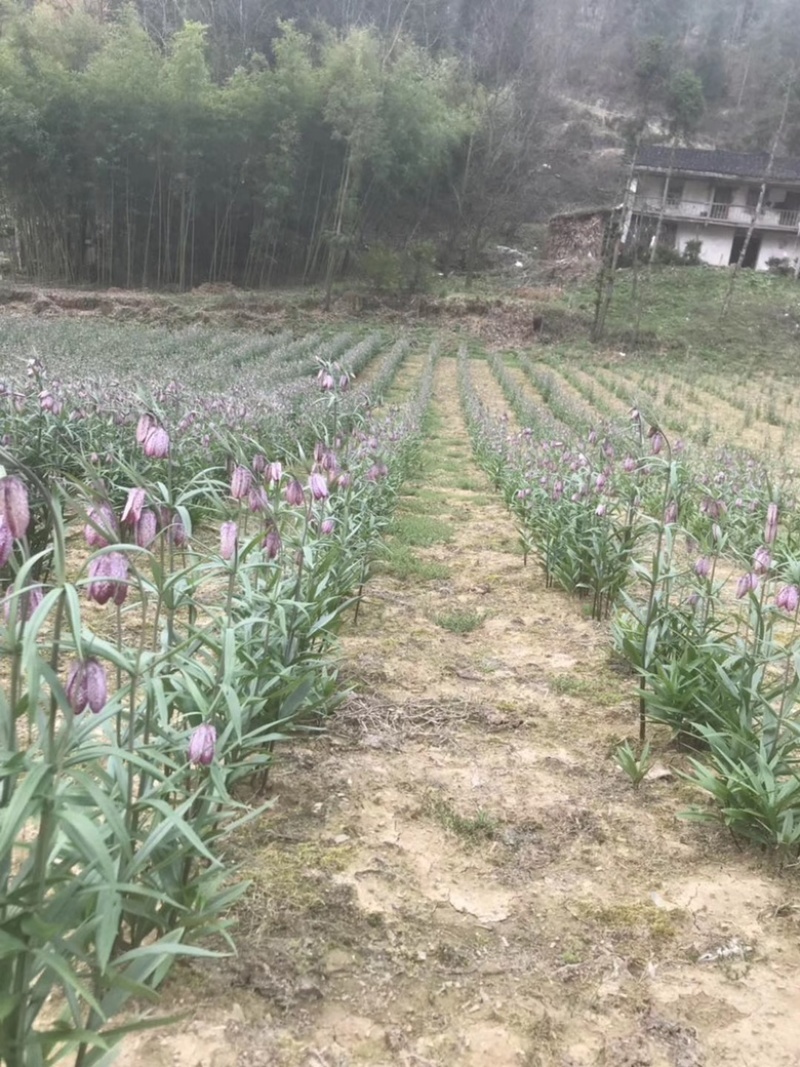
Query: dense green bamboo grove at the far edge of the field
{"type": "Point", "coordinates": [126, 163]}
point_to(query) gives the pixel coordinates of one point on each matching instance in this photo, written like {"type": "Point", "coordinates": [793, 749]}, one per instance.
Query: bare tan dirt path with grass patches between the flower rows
{"type": "Point", "coordinates": [459, 875]}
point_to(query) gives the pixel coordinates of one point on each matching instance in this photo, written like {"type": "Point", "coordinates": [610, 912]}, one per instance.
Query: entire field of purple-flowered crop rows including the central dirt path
{"type": "Point", "coordinates": [404, 692]}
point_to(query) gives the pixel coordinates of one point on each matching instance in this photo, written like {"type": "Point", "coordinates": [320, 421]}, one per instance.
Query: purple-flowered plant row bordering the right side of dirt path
{"type": "Point", "coordinates": [707, 622]}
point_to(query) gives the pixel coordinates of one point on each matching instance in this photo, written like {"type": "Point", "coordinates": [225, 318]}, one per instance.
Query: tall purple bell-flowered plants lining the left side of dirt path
{"type": "Point", "coordinates": [175, 624]}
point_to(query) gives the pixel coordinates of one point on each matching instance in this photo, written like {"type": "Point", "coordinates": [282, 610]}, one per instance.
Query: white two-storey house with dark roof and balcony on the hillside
{"type": "Point", "coordinates": [713, 198]}
